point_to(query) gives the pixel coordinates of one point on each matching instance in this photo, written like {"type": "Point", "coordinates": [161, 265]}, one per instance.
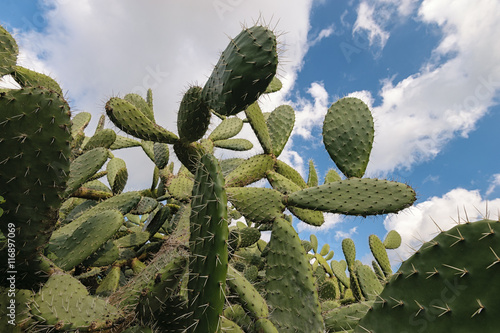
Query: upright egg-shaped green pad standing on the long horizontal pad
{"type": "Point", "coordinates": [348, 132]}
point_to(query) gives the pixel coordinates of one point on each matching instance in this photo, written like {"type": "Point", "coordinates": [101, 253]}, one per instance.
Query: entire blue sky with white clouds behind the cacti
{"type": "Point", "coordinates": [429, 70]}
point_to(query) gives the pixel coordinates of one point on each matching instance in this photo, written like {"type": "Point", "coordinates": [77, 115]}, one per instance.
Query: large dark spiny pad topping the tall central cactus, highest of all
{"type": "Point", "coordinates": [243, 72]}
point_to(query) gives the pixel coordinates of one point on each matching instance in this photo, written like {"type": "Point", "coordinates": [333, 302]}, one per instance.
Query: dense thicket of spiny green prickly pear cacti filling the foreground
{"type": "Point", "coordinates": [185, 254]}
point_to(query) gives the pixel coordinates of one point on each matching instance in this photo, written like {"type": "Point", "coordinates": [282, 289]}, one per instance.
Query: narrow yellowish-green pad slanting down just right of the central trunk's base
{"type": "Point", "coordinates": [249, 297]}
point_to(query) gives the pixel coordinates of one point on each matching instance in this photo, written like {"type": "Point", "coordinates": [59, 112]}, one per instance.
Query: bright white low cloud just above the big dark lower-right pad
{"type": "Point", "coordinates": [420, 223]}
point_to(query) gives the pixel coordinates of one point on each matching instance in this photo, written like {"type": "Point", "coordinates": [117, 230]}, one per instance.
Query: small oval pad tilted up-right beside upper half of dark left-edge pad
{"type": "Point", "coordinates": [84, 167]}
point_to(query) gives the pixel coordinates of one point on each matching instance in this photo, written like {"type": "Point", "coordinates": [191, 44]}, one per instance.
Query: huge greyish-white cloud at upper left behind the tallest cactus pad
{"type": "Point", "coordinates": [97, 50]}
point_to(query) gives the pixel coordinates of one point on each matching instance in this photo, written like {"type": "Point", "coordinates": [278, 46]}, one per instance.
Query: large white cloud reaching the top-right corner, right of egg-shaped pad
{"type": "Point", "coordinates": [425, 110]}
